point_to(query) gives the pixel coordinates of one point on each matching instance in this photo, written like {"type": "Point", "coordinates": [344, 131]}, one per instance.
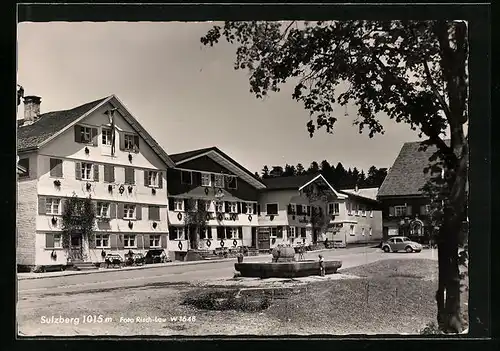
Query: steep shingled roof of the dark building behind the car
{"type": "Point", "coordinates": [406, 176]}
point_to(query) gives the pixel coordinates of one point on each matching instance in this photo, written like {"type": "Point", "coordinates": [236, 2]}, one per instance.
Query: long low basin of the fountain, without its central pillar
{"type": "Point", "coordinates": [285, 269]}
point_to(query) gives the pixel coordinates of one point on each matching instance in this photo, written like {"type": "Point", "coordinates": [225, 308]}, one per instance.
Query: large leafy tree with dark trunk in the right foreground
{"type": "Point", "coordinates": [413, 71]}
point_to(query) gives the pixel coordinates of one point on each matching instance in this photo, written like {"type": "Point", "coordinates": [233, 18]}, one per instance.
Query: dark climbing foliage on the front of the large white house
{"type": "Point", "coordinates": [78, 215]}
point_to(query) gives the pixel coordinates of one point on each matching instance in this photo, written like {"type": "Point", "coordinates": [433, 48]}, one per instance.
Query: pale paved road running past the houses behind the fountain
{"type": "Point", "coordinates": [188, 273]}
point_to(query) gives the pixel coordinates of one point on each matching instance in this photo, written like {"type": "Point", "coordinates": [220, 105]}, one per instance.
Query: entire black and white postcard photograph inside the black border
{"type": "Point", "coordinates": [225, 178]}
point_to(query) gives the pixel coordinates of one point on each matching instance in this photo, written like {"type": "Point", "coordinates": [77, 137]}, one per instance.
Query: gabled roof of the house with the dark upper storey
{"type": "Point", "coordinates": [220, 157]}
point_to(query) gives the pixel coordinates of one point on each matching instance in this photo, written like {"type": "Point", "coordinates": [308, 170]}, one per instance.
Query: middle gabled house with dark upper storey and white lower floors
{"type": "Point", "coordinates": [228, 190]}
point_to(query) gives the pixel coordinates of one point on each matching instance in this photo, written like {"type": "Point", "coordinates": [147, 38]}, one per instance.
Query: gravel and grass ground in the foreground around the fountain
{"type": "Point", "coordinates": [394, 296]}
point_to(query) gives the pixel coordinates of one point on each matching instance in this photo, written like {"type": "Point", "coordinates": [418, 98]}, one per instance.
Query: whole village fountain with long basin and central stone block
{"type": "Point", "coordinates": [284, 265]}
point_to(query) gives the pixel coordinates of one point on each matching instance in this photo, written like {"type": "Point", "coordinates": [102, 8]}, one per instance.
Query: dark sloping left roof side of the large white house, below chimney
{"type": "Point", "coordinates": [30, 136]}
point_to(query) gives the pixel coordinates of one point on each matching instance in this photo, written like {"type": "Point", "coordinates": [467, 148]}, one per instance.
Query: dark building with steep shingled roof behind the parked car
{"type": "Point", "coordinates": [405, 209]}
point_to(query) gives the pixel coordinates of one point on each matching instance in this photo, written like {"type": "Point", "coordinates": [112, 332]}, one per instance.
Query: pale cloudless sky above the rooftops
{"type": "Point", "coordinates": [186, 95]}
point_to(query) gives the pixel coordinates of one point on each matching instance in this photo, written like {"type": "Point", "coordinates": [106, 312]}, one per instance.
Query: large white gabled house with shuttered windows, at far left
{"type": "Point", "coordinates": [69, 153]}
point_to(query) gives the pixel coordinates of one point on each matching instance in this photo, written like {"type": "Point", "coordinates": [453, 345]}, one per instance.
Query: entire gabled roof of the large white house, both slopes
{"type": "Point", "coordinates": [52, 124]}
